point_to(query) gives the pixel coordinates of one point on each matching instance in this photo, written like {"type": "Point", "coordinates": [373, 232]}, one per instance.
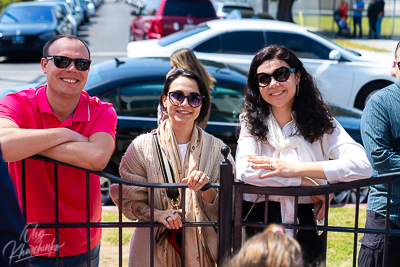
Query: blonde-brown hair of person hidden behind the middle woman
{"type": "Point", "coordinates": [185, 59]}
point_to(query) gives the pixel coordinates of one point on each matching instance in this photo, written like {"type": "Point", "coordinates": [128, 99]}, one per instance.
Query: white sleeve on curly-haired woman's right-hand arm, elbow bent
{"type": "Point", "coordinates": [348, 162]}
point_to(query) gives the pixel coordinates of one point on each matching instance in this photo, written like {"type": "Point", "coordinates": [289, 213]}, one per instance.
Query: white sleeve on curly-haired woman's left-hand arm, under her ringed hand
{"type": "Point", "coordinates": [249, 146]}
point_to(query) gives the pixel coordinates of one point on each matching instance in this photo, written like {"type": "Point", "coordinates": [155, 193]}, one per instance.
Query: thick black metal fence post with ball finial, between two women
{"type": "Point", "coordinates": [225, 205]}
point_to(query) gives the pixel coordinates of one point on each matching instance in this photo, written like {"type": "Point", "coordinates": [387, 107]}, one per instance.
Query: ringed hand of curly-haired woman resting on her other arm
{"type": "Point", "coordinates": [277, 167]}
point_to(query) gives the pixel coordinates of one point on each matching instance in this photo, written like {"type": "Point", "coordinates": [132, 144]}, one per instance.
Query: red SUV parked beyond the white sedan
{"type": "Point", "coordinates": [159, 18]}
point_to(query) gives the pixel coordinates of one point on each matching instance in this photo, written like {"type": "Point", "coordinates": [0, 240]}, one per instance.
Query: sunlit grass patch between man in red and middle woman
{"type": "Point", "coordinates": [111, 235]}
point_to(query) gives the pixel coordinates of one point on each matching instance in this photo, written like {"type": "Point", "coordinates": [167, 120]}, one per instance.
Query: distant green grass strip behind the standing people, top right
{"type": "Point", "coordinates": [326, 23]}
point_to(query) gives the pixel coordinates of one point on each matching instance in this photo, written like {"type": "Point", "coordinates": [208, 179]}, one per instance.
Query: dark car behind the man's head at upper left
{"type": "Point", "coordinates": [26, 27]}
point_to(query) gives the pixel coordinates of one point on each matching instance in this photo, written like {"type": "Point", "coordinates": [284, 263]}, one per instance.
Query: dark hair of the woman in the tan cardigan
{"type": "Point", "coordinates": [202, 89]}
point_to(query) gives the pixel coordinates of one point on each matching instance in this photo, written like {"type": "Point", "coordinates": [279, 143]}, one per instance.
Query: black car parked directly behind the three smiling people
{"type": "Point", "coordinates": [133, 86]}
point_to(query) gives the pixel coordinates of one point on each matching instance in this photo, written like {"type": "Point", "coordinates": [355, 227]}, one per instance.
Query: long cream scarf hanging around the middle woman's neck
{"type": "Point", "coordinates": [194, 238]}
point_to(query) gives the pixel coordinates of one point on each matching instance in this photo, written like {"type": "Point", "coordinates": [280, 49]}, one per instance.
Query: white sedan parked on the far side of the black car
{"type": "Point", "coordinates": [345, 77]}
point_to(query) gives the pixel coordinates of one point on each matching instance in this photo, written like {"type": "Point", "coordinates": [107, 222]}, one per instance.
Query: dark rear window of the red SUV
{"type": "Point", "coordinates": [199, 9]}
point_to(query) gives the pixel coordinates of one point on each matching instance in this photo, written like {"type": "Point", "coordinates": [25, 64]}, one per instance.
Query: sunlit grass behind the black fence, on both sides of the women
{"type": "Point", "coordinates": [340, 245]}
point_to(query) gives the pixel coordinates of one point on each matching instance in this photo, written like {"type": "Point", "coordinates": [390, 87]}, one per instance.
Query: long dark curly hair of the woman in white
{"type": "Point", "coordinates": [311, 115]}
